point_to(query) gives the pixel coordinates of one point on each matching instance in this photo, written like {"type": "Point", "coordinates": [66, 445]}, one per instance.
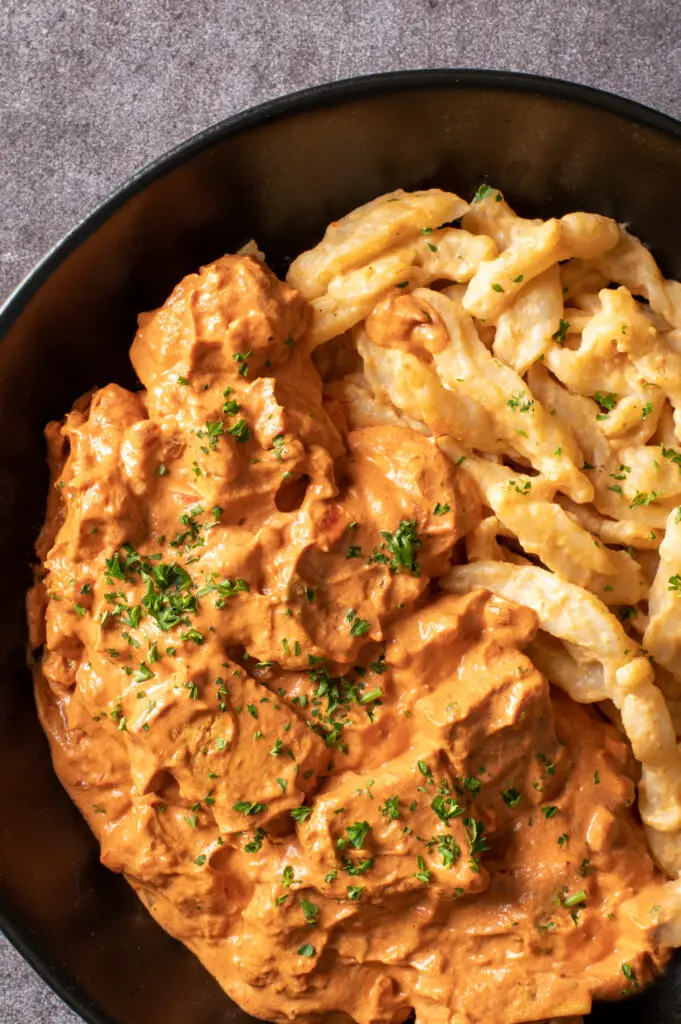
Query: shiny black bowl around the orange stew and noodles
{"type": "Point", "coordinates": [279, 174]}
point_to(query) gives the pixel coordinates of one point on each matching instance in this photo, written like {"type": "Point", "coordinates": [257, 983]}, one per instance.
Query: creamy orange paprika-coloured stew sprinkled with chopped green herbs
{"type": "Point", "coordinates": [346, 791]}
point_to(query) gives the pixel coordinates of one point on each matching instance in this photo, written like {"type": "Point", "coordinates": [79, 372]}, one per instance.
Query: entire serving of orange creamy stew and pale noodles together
{"type": "Point", "coordinates": [360, 654]}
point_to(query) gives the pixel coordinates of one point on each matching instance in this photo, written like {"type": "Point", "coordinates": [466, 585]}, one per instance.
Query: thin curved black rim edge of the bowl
{"type": "Point", "coordinates": [323, 95]}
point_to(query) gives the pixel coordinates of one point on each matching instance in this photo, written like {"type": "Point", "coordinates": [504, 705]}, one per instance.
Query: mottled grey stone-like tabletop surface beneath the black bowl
{"type": "Point", "coordinates": [93, 90]}
